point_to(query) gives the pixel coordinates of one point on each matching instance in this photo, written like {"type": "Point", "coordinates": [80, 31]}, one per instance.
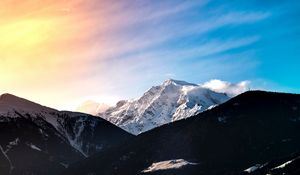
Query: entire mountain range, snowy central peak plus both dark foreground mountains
{"type": "Point", "coordinates": [255, 133]}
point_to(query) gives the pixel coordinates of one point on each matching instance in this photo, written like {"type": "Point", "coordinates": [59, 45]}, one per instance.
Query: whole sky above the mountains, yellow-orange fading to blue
{"type": "Point", "coordinates": [62, 52]}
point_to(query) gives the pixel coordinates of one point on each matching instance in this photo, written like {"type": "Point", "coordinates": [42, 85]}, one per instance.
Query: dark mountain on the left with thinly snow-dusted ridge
{"type": "Point", "coordinates": [43, 141]}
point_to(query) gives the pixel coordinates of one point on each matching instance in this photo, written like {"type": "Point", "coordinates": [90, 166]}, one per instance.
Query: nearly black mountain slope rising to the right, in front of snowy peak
{"type": "Point", "coordinates": [253, 128]}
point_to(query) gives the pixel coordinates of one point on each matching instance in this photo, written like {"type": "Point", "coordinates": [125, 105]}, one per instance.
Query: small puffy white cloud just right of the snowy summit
{"type": "Point", "coordinates": [232, 89]}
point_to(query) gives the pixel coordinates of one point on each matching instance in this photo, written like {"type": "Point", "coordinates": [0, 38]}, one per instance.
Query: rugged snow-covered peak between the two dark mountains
{"type": "Point", "coordinates": [171, 101]}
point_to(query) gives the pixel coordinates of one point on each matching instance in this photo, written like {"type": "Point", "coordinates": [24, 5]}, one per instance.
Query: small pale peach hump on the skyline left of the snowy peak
{"type": "Point", "coordinates": [91, 107]}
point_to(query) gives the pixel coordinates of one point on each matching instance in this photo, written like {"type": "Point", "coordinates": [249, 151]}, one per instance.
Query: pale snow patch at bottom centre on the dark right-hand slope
{"type": "Point", "coordinates": [167, 165]}
